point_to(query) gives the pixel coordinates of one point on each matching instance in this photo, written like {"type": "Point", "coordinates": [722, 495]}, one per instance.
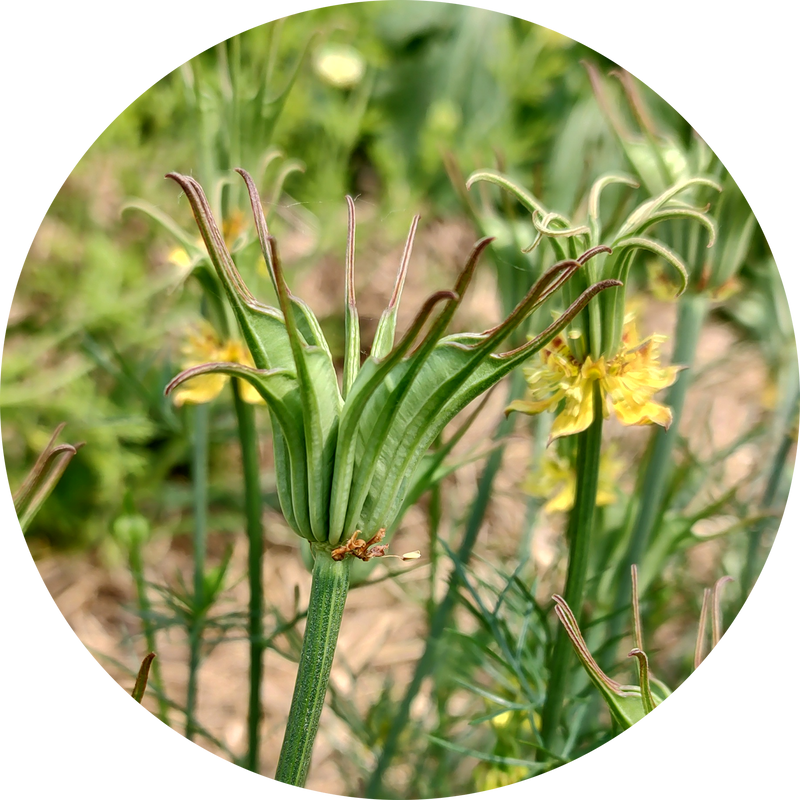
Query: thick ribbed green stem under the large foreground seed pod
{"type": "Point", "coordinates": [329, 583]}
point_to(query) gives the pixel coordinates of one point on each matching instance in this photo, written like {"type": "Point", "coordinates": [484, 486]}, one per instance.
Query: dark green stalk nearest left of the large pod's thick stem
{"type": "Point", "coordinates": [248, 440]}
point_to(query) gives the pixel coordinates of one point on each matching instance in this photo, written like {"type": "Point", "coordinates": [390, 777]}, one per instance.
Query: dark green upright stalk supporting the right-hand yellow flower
{"type": "Point", "coordinates": [579, 535]}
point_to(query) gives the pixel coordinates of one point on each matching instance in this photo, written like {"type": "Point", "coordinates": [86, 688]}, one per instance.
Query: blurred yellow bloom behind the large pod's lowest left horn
{"type": "Point", "coordinates": [203, 346]}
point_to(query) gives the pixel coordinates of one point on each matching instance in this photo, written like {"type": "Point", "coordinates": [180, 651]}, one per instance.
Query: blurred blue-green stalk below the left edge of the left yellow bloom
{"type": "Point", "coordinates": [200, 503]}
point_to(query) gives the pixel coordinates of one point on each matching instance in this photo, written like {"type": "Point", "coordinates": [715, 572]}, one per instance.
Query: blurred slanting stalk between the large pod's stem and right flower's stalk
{"type": "Point", "coordinates": [442, 614]}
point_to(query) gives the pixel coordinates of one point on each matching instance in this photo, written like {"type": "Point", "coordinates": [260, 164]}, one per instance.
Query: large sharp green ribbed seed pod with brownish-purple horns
{"type": "Point", "coordinates": [346, 455]}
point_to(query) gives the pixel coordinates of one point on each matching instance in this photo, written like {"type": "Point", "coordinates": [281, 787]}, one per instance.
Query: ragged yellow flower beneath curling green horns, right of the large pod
{"type": "Point", "coordinates": [628, 381]}
